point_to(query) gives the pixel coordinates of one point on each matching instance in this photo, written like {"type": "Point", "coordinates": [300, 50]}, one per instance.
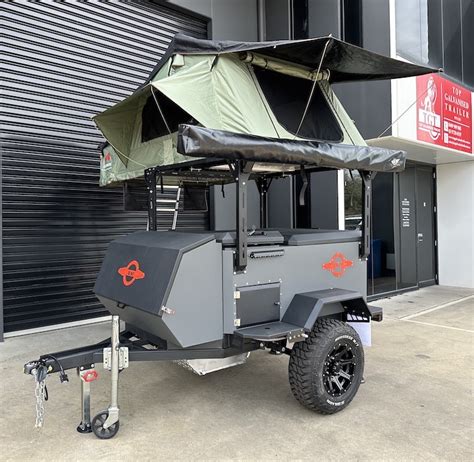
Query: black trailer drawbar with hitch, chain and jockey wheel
{"type": "Point", "coordinates": [116, 353]}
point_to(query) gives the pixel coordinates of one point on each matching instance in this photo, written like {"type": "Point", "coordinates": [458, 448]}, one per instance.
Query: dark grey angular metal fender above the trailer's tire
{"type": "Point", "coordinates": [306, 308]}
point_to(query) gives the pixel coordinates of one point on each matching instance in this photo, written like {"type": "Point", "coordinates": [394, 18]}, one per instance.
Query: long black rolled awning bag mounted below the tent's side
{"type": "Point", "coordinates": [204, 142]}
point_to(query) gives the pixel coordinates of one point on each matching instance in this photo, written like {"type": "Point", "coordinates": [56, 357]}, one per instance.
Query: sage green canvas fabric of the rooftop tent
{"type": "Point", "coordinates": [218, 93]}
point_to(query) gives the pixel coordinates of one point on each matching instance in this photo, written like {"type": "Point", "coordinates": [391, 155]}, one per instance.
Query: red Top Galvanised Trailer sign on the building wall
{"type": "Point", "coordinates": [444, 113]}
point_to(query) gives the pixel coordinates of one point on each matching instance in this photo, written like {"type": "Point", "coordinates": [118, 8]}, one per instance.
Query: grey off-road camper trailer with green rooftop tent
{"type": "Point", "coordinates": [217, 113]}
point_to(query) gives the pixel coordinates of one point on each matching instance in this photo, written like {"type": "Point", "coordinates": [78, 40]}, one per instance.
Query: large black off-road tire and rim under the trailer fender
{"type": "Point", "coordinates": [325, 370]}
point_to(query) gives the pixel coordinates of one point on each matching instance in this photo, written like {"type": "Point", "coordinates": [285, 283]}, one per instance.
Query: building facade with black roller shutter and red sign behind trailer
{"type": "Point", "coordinates": [59, 58]}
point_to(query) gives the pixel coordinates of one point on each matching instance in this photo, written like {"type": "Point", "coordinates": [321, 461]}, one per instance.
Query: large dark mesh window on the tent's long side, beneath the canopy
{"type": "Point", "coordinates": [287, 97]}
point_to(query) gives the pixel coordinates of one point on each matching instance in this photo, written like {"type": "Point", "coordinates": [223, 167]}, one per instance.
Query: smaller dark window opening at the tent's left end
{"type": "Point", "coordinates": [153, 125]}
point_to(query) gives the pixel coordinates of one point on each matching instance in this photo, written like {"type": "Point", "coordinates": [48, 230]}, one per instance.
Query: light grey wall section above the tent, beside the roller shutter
{"type": "Point", "coordinates": [231, 19]}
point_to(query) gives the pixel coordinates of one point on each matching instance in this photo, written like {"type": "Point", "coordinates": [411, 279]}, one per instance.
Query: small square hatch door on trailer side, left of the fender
{"type": "Point", "coordinates": [258, 304]}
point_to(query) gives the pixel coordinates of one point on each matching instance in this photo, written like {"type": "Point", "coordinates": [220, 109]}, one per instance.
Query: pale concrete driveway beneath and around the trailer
{"type": "Point", "coordinates": [416, 404]}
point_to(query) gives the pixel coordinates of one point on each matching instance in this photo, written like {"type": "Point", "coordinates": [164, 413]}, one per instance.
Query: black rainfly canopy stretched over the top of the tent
{"type": "Point", "coordinates": [345, 62]}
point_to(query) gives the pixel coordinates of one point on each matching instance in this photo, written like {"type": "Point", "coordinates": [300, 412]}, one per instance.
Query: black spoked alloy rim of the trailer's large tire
{"type": "Point", "coordinates": [339, 369]}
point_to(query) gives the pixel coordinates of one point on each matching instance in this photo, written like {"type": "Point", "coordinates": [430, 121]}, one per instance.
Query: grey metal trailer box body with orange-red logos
{"type": "Point", "coordinates": [189, 294]}
